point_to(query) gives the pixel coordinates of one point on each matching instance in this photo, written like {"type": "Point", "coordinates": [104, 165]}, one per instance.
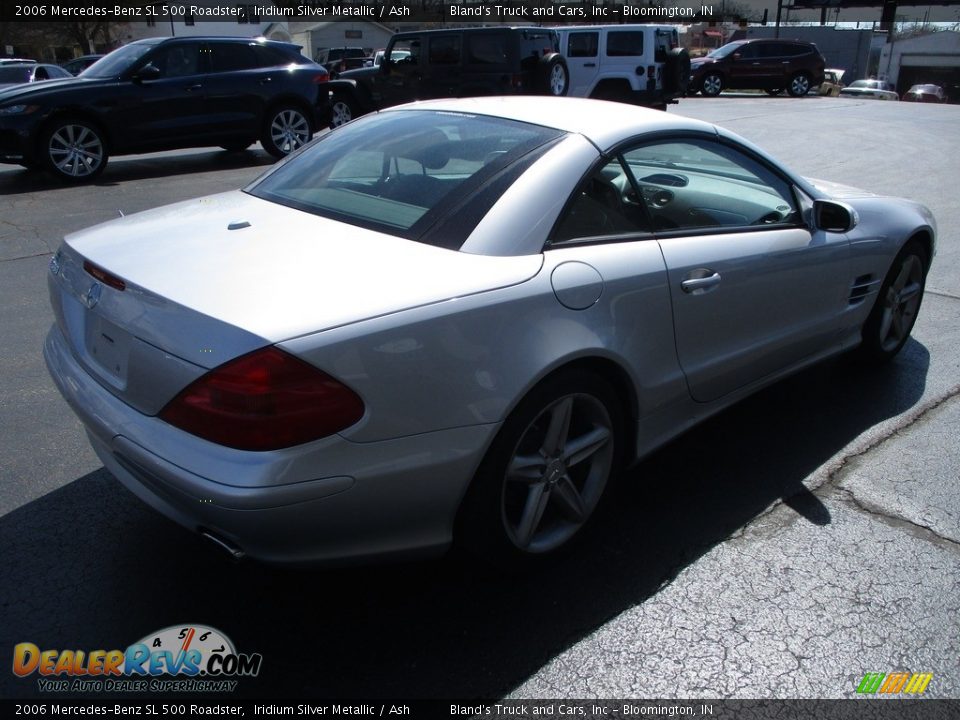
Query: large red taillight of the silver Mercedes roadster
{"type": "Point", "coordinates": [264, 401]}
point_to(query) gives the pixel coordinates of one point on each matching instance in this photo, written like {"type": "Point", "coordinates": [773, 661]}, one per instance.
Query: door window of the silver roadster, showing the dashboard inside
{"type": "Point", "coordinates": [693, 184]}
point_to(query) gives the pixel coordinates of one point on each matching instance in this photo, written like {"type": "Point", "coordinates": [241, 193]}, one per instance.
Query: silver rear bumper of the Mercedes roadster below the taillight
{"type": "Point", "coordinates": [359, 500]}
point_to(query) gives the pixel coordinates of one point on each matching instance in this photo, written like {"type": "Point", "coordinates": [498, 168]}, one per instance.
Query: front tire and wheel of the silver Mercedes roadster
{"type": "Point", "coordinates": [891, 320]}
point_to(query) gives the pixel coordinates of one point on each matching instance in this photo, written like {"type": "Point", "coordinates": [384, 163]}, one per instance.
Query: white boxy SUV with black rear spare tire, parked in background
{"type": "Point", "coordinates": [639, 64]}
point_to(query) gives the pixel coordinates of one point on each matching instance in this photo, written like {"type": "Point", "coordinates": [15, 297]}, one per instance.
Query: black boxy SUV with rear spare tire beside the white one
{"type": "Point", "coordinates": [461, 62]}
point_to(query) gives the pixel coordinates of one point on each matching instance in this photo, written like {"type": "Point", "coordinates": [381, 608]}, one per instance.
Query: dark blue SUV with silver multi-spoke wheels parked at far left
{"type": "Point", "coordinates": [162, 94]}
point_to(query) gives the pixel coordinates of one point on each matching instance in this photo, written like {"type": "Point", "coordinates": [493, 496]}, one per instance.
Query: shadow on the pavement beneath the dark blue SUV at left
{"type": "Point", "coordinates": [140, 167]}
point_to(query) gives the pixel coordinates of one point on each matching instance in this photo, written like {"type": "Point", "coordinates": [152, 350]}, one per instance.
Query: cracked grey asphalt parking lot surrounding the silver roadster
{"type": "Point", "coordinates": [783, 549]}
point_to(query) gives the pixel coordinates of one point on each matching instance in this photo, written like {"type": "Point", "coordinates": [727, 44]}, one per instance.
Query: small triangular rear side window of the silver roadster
{"type": "Point", "coordinates": [604, 204]}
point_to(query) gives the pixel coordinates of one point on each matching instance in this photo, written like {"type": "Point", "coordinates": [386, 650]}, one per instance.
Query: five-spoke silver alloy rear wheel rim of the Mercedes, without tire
{"type": "Point", "coordinates": [557, 473]}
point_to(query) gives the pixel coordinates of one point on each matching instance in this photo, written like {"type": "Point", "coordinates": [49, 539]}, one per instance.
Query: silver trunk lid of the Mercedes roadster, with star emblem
{"type": "Point", "coordinates": [210, 279]}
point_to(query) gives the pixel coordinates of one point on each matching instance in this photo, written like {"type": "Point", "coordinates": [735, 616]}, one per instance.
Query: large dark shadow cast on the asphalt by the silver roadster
{"type": "Point", "coordinates": [89, 567]}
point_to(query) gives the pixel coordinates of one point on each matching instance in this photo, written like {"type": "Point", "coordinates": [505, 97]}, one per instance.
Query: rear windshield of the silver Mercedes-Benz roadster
{"type": "Point", "coordinates": [400, 172]}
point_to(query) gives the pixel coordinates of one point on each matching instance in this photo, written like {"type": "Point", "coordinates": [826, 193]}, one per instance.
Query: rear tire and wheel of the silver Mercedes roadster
{"type": "Point", "coordinates": [542, 479]}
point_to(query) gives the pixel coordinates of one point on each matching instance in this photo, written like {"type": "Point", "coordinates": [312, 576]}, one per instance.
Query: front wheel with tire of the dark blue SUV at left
{"type": "Point", "coordinates": [73, 149]}
